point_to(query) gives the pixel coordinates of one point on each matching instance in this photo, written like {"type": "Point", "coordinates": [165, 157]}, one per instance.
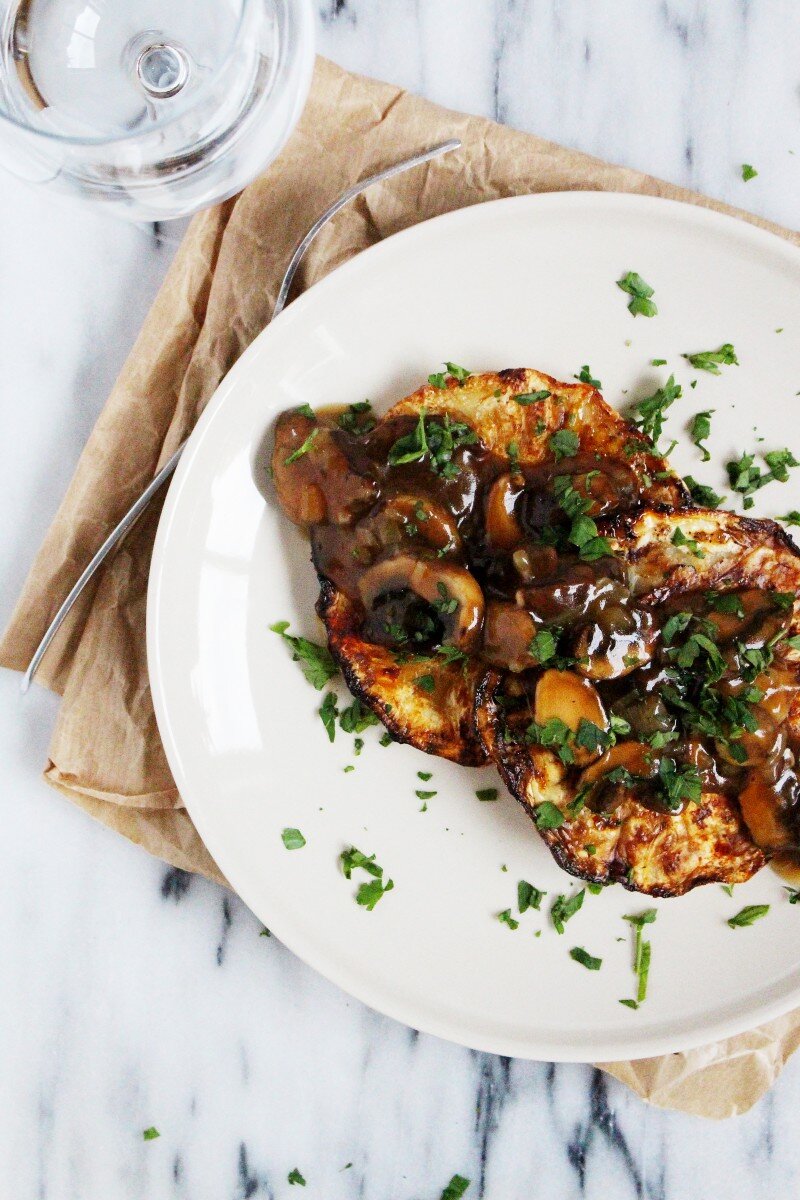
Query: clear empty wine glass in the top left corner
{"type": "Point", "coordinates": [154, 109]}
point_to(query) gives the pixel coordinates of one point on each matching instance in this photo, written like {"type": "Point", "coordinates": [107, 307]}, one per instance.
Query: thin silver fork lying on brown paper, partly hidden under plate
{"type": "Point", "coordinates": [140, 506]}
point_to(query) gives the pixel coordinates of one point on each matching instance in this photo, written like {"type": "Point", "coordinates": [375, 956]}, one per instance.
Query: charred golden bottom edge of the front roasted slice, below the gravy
{"type": "Point", "coordinates": [646, 850]}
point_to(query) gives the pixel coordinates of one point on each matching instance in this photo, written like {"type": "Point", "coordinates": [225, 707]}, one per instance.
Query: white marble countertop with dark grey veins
{"type": "Point", "coordinates": [133, 995]}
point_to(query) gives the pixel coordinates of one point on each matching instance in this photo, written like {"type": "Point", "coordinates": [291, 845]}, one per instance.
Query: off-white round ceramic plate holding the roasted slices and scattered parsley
{"type": "Point", "coordinates": [520, 283]}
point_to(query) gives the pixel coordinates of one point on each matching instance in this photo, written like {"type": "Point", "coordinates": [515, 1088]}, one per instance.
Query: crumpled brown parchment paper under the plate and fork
{"type": "Point", "coordinates": [106, 754]}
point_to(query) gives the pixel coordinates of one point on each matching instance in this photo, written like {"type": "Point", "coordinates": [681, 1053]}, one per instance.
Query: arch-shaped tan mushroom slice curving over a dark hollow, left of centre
{"type": "Point", "coordinates": [449, 589]}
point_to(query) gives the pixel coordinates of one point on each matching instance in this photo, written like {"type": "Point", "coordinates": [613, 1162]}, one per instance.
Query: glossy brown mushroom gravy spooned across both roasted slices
{"type": "Point", "coordinates": [442, 543]}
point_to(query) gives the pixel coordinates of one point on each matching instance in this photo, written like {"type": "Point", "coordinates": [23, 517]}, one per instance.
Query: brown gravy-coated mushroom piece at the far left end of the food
{"type": "Point", "coordinates": [316, 484]}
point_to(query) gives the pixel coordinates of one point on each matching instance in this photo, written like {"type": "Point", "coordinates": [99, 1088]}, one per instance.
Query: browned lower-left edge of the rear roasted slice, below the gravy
{"type": "Point", "coordinates": [426, 703]}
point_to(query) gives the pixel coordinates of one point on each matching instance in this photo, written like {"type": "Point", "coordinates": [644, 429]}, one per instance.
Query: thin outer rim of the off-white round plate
{"type": "Point", "coordinates": [509, 1046]}
